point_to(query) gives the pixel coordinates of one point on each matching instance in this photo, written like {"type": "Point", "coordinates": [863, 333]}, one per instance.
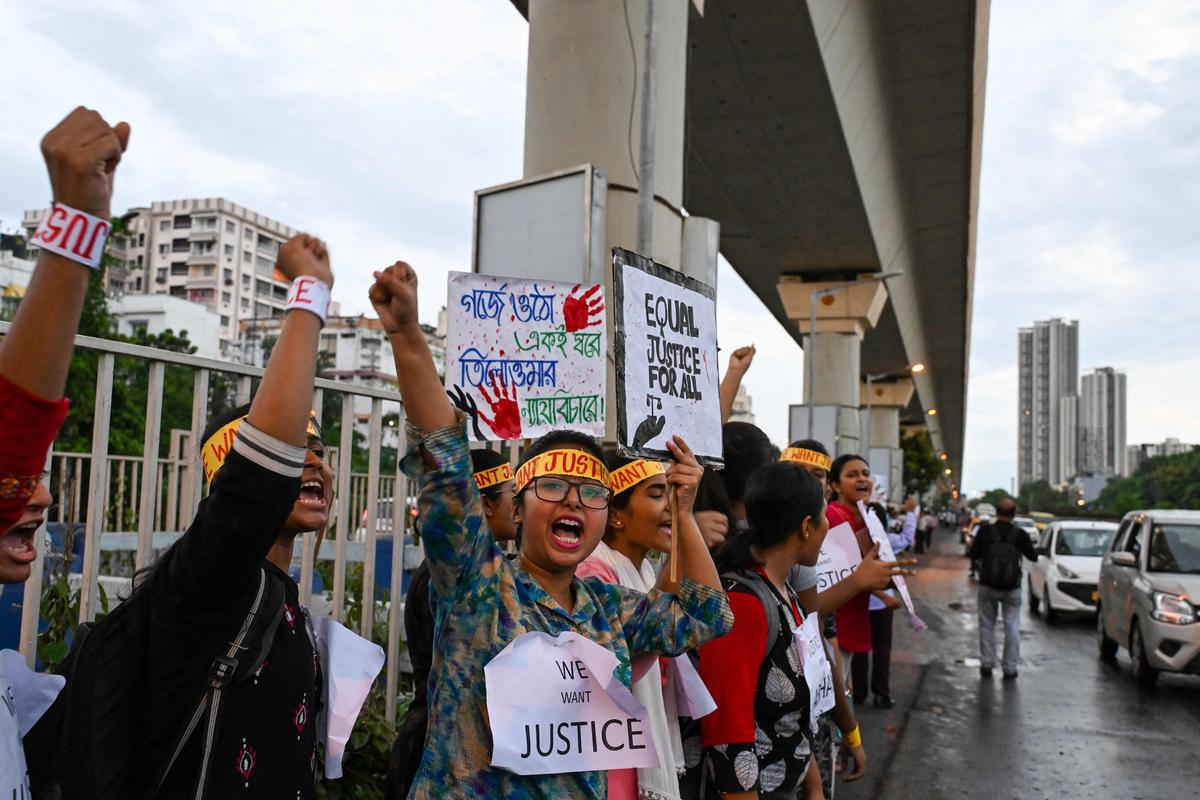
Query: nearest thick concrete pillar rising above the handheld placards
{"type": "Point", "coordinates": [584, 106]}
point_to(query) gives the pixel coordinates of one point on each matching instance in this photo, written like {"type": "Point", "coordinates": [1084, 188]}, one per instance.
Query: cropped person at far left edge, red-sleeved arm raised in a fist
{"type": "Point", "coordinates": [81, 155]}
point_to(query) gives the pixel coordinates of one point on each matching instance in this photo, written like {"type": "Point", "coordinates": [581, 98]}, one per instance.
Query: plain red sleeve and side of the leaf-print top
{"type": "Point", "coordinates": [730, 669]}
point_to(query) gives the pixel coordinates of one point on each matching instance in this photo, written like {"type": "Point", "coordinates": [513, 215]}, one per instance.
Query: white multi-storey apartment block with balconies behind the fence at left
{"type": "Point", "coordinates": [205, 250]}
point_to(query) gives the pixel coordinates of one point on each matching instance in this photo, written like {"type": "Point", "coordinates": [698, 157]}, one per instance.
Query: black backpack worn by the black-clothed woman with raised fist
{"type": "Point", "coordinates": [86, 745]}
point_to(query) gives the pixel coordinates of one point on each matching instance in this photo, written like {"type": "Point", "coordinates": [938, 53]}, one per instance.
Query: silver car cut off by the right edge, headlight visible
{"type": "Point", "coordinates": [1150, 582]}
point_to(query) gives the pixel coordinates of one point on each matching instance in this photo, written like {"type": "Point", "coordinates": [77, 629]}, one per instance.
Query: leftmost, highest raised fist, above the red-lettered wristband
{"type": "Point", "coordinates": [82, 154]}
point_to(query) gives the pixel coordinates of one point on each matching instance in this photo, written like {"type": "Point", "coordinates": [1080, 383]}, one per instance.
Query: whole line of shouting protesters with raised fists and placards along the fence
{"type": "Point", "coordinates": [658, 633]}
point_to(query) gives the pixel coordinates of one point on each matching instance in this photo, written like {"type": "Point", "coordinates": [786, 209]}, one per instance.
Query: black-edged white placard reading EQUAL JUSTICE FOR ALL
{"type": "Point", "coordinates": [665, 348]}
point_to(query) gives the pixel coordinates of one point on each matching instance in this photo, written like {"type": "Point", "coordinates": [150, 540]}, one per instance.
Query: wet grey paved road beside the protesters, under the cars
{"type": "Point", "coordinates": [1070, 727]}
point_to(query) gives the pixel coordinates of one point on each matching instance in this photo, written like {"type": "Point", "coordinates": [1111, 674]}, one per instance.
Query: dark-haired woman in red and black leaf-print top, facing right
{"type": "Point", "coordinates": [759, 739]}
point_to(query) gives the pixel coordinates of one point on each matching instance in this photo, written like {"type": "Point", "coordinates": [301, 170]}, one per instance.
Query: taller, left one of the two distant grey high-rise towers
{"type": "Point", "coordinates": [1049, 375]}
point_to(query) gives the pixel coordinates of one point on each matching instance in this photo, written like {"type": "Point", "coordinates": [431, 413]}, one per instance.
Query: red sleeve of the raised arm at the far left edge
{"type": "Point", "coordinates": [28, 426]}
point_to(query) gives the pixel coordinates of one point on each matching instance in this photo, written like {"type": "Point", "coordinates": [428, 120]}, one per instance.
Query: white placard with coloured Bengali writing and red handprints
{"type": "Point", "coordinates": [526, 358]}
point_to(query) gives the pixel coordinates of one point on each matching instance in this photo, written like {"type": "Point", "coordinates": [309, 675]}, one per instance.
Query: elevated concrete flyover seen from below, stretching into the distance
{"type": "Point", "coordinates": [835, 140]}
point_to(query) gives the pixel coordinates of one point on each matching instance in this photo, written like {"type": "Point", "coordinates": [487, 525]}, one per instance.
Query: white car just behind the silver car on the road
{"type": "Point", "coordinates": [1067, 573]}
